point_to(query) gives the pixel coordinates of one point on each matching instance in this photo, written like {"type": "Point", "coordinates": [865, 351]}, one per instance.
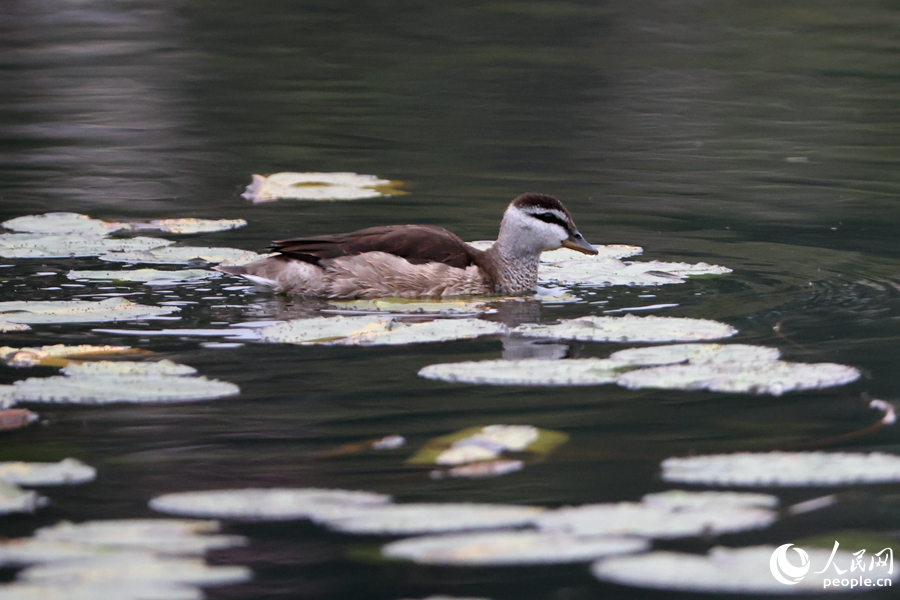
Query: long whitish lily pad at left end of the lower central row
{"type": "Point", "coordinates": [255, 504]}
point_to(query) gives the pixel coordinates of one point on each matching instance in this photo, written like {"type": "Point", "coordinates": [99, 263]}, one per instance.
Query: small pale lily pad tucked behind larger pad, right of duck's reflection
{"type": "Point", "coordinates": [694, 353]}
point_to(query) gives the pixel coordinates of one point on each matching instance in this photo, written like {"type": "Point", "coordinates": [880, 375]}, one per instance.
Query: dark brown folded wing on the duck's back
{"type": "Point", "coordinates": [416, 243]}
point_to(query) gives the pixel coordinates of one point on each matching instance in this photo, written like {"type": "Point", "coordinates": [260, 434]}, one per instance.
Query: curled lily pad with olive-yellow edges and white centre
{"type": "Point", "coordinates": [487, 443]}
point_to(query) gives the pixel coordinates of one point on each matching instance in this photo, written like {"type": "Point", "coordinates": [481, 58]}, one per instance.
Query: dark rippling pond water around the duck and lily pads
{"type": "Point", "coordinates": [760, 136]}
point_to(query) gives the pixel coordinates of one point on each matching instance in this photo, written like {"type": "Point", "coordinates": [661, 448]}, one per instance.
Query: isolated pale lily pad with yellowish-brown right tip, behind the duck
{"type": "Point", "coordinates": [318, 186]}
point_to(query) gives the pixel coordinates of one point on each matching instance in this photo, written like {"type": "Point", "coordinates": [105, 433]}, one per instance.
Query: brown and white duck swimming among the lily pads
{"type": "Point", "coordinates": [419, 261]}
